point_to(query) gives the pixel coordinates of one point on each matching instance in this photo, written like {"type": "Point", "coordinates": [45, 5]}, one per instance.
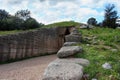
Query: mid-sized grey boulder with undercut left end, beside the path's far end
{"type": "Point", "coordinates": [68, 51]}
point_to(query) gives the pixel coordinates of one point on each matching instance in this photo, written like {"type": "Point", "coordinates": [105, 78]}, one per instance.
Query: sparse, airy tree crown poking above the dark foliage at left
{"type": "Point", "coordinates": [23, 14]}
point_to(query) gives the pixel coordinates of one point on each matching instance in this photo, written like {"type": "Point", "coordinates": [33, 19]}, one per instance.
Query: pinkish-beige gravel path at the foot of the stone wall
{"type": "Point", "coordinates": [31, 69]}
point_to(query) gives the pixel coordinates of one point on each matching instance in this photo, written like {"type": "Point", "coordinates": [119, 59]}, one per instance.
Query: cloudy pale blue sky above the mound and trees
{"type": "Point", "coordinates": [50, 11]}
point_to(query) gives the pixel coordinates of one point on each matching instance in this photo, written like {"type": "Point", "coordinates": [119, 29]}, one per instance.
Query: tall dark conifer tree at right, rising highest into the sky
{"type": "Point", "coordinates": [110, 16]}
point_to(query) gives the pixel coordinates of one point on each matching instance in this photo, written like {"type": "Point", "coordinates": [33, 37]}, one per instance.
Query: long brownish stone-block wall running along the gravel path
{"type": "Point", "coordinates": [33, 43]}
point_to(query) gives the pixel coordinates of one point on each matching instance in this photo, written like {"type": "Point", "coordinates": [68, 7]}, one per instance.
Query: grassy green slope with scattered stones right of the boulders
{"type": "Point", "coordinates": [101, 52]}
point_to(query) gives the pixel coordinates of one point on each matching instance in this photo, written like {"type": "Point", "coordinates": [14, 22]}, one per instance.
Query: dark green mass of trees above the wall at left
{"type": "Point", "coordinates": [21, 21]}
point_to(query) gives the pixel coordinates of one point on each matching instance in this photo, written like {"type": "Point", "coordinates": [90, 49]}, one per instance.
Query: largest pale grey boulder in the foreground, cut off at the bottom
{"type": "Point", "coordinates": [63, 71]}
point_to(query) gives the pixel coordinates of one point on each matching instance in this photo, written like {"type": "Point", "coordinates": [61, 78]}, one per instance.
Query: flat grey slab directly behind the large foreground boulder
{"type": "Point", "coordinates": [80, 61]}
